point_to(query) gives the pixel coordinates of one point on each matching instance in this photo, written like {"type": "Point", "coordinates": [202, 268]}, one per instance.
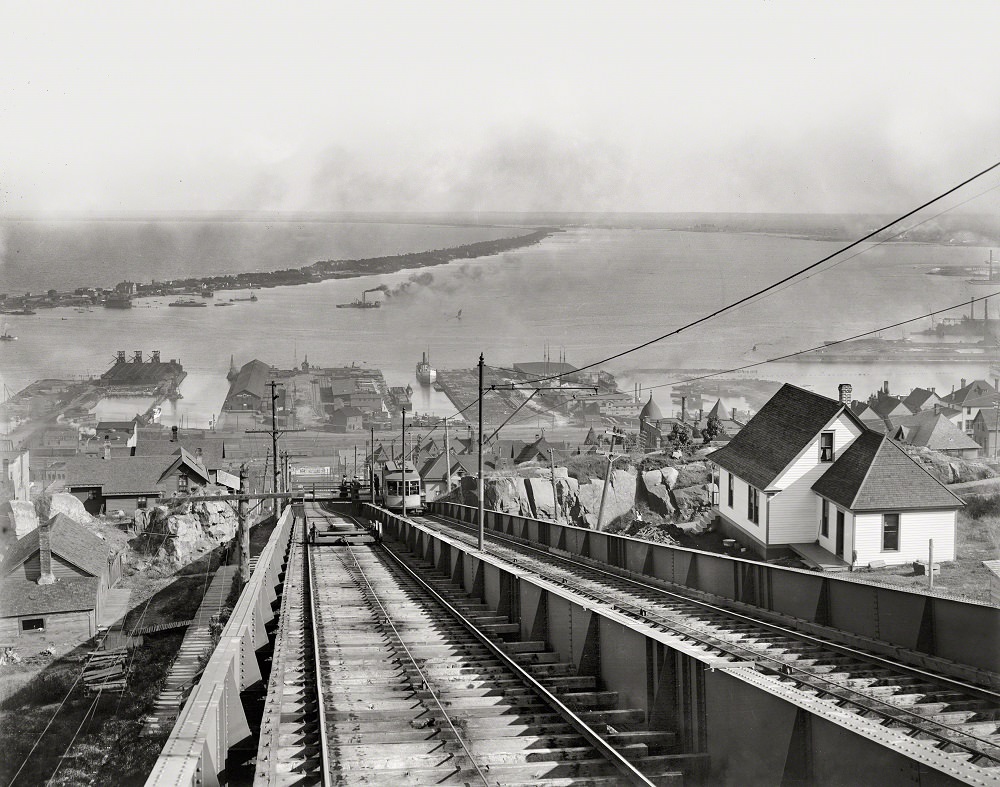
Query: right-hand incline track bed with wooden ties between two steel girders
{"type": "Point", "coordinates": [958, 720]}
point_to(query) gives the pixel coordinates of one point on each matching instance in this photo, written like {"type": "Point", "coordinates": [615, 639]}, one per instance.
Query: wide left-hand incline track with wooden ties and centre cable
{"type": "Point", "coordinates": [379, 677]}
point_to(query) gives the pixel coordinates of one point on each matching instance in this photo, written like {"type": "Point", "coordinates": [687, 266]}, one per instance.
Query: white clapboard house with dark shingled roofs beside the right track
{"type": "Point", "coordinates": [798, 451]}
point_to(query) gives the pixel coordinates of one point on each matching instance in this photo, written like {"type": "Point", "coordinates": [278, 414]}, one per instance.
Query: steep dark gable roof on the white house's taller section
{"type": "Point", "coordinates": [777, 434]}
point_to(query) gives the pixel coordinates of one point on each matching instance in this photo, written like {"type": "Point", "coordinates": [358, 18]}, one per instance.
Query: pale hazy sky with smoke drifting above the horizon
{"type": "Point", "coordinates": [659, 106]}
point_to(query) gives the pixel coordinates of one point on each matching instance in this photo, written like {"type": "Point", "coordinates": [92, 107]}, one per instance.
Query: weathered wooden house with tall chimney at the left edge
{"type": "Point", "coordinates": [54, 582]}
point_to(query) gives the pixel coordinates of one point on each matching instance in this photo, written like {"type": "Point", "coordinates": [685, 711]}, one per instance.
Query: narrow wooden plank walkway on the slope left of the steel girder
{"type": "Point", "coordinates": [187, 664]}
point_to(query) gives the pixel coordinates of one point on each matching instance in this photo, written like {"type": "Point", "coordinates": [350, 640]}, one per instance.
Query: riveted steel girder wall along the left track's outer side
{"type": "Point", "coordinates": [212, 719]}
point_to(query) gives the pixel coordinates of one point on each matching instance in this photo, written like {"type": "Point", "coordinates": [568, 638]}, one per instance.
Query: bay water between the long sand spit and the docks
{"type": "Point", "coordinates": [590, 292]}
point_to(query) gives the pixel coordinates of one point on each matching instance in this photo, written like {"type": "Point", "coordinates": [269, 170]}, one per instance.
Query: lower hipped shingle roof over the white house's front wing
{"type": "Point", "coordinates": [876, 474]}
